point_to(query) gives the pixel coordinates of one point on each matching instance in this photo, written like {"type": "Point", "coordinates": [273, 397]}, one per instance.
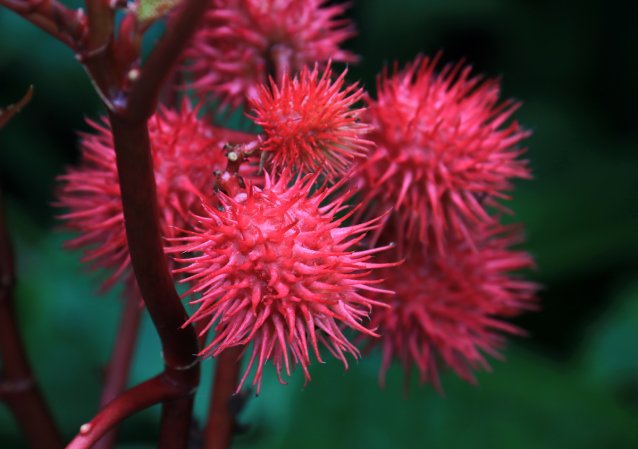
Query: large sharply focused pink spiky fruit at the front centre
{"type": "Point", "coordinates": [275, 268]}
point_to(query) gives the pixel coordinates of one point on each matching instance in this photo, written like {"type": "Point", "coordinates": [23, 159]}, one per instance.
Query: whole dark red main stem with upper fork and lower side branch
{"type": "Point", "coordinates": [128, 113]}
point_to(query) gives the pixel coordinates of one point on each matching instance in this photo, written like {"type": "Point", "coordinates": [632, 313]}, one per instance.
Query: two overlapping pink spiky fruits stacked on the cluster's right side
{"type": "Point", "coordinates": [444, 155]}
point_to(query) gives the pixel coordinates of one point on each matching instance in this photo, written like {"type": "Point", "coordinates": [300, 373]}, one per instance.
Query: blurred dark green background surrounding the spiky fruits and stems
{"type": "Point", "coordinates": [572, 384]}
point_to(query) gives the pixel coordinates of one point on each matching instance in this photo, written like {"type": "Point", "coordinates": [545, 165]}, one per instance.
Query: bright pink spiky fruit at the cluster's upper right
{"type": "Point", "coordinates": [445, 154]}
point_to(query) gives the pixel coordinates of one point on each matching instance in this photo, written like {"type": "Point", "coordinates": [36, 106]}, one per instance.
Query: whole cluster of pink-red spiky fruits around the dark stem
{"type": "Point", "coordinates": [276, 261]}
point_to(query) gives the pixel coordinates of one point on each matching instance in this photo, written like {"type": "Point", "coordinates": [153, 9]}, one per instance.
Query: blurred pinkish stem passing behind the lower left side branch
{"type": "Point", "coordinates": [119, 366]}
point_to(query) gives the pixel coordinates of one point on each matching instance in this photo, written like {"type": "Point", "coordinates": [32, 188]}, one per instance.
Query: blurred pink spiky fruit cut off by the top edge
{"type": "Point", "coordinates": [243, 42]}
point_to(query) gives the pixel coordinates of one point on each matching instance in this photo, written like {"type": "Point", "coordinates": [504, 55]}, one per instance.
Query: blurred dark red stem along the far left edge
{"type": "Point", "coordinates": [18, 387]}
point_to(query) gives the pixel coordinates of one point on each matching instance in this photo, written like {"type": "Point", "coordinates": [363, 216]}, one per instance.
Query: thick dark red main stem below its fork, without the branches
{"type": "Point", "coordinates": [141, 217]}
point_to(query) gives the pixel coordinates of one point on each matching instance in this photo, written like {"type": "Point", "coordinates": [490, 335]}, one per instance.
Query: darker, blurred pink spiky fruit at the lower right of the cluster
{"type": "Point", "coordinates": [450, 309]}
